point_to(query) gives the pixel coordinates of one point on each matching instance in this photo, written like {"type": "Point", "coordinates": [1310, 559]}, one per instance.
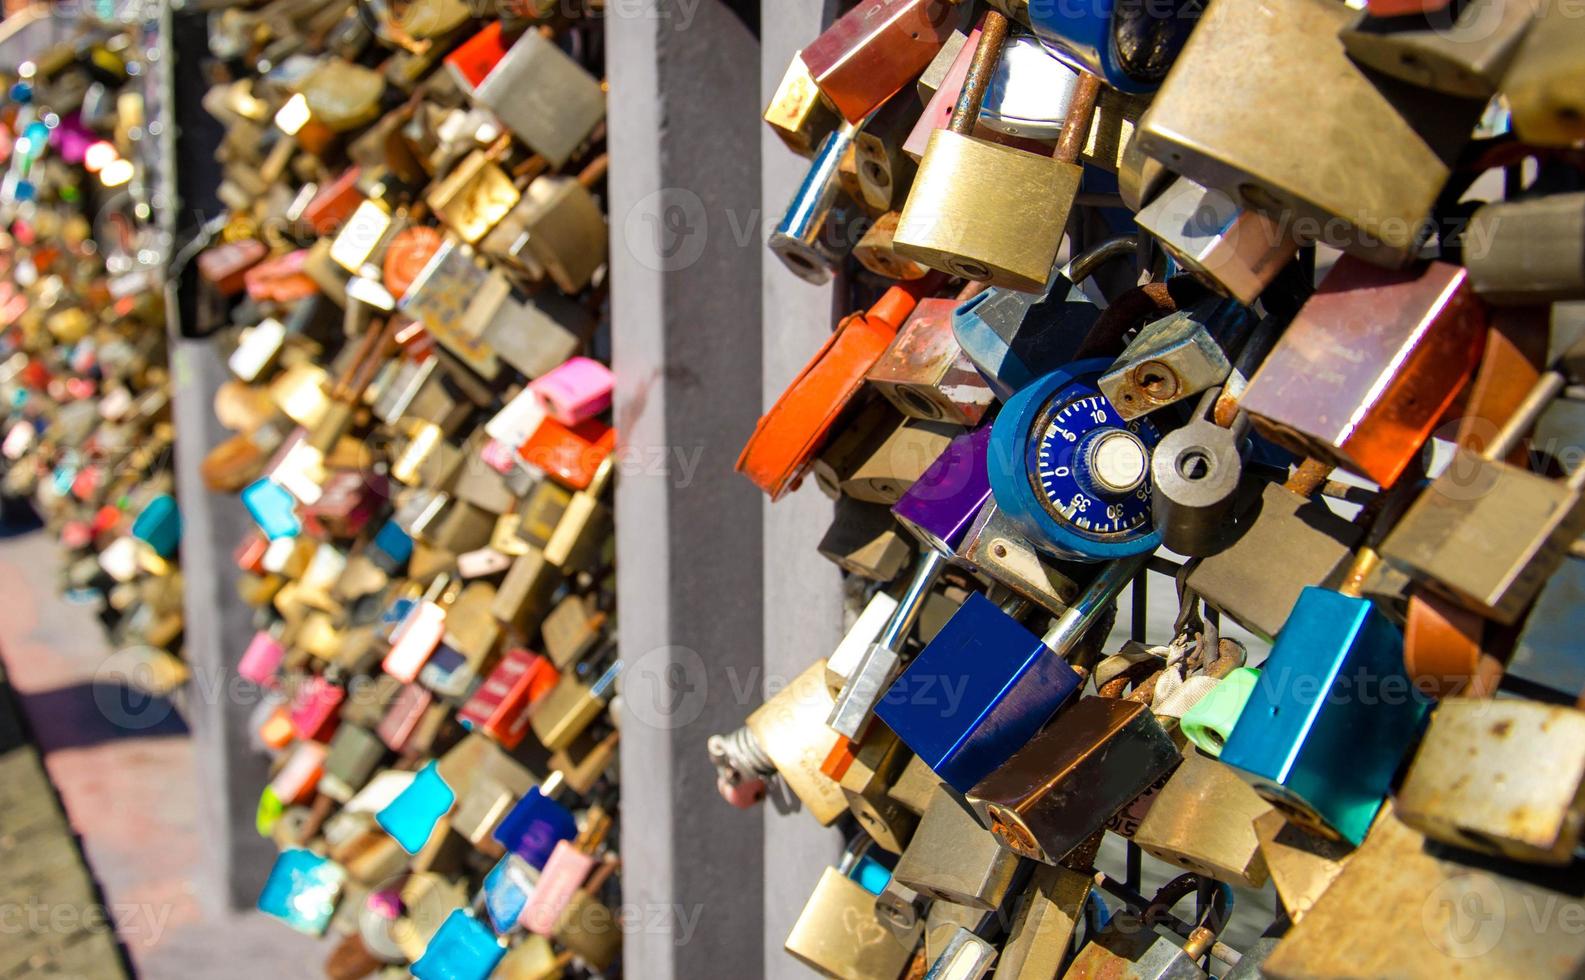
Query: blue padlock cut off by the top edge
{"type": "Point", "coordinates": [1128, 44]}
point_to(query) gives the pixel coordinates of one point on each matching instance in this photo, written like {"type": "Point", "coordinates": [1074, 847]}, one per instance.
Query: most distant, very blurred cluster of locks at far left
{"type": "Point", "coordinates": [88, 432]}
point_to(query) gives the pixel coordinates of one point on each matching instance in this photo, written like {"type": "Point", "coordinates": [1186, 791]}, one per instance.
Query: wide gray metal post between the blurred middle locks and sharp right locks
{"type": "Point", "coordinates": [687, 351]}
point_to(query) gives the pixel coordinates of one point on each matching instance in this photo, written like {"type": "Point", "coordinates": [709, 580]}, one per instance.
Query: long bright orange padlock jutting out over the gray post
{"type": "Point", "coordinates": [789, 437]}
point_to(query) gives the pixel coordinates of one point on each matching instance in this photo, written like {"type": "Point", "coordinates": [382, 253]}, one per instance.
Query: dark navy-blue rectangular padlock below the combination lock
{"type": "Point", "coordinates": [977, 694]}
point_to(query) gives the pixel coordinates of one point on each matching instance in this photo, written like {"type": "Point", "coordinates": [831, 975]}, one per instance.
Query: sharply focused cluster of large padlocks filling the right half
{"type": "Point", "coordinates": [1281, 301]}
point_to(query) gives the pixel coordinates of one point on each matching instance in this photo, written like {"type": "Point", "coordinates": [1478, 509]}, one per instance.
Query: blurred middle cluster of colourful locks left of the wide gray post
{"type": "Point", "coordinates": [413, 277]}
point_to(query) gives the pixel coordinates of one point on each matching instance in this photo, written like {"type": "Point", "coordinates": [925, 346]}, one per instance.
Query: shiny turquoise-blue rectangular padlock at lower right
{"type": "Point", "coordinates": [1331, 718]}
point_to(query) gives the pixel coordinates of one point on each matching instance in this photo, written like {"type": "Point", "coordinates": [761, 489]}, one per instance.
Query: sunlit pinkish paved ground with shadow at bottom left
{"type": "Point", "coordinates": [129, 795]}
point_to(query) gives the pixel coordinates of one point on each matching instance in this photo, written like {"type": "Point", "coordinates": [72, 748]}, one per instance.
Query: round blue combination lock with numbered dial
{"type": "Point", "coordinates": [1071, 473]}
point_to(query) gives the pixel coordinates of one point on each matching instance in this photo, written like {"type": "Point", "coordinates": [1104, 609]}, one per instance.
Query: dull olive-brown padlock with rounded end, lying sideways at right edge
{"type": "Point", "coordinates": [1529, 253]}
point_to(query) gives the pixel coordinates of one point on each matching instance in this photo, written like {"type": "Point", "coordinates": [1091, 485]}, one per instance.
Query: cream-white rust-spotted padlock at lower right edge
{"type": "Point", "coordinates": [1502, 778]}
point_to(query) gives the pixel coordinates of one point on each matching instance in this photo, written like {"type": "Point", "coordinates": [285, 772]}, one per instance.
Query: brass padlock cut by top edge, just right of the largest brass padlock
{"type": "Point", "coordinates": [1462, 53]}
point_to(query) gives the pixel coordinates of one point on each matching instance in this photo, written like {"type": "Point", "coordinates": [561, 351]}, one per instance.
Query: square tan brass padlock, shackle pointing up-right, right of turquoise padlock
{"type": "Point", "coordinates": [1489, 535]}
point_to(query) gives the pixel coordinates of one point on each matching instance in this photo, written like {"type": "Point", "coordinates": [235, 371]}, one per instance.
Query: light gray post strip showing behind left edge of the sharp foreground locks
{"type": "Point", "coordinates": [803, 591]}
